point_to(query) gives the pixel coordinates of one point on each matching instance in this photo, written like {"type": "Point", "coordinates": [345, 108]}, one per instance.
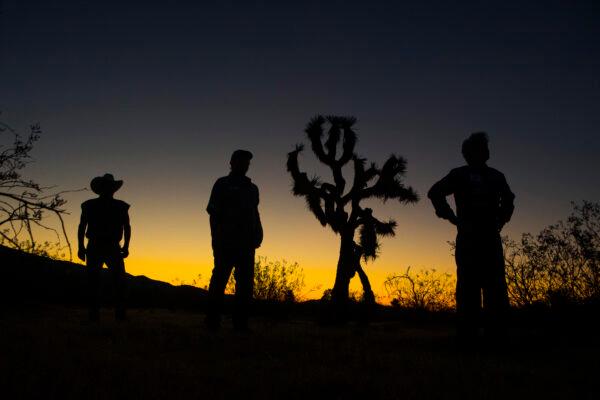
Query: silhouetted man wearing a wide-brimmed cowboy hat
{"type": "Point", "coordinates": [105, 222]}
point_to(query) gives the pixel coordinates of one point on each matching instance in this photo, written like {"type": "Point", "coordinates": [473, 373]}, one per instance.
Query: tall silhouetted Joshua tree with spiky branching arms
{"type": "Point", "coordinates": [328, 201]}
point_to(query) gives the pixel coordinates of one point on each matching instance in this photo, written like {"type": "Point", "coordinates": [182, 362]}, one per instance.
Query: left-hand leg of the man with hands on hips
{"type": "Point", "coordinates": [468, 289]}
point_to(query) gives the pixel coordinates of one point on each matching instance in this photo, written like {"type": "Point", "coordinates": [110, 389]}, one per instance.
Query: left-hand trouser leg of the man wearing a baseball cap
{"type": "Point", "coordinates": [216, 289]}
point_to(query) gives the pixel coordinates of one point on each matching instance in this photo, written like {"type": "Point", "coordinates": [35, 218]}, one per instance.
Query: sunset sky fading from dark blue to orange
{"type": "Point", "coordinates": [160, 93]}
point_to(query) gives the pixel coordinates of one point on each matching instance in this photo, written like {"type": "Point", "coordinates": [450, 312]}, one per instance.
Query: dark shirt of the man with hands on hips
{"type": "Point", "coordinates": [482, 196]}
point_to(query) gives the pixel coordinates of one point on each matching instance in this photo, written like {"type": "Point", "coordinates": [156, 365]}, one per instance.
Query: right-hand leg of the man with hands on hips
{"type": "Point", "coordinates": [495, 293]}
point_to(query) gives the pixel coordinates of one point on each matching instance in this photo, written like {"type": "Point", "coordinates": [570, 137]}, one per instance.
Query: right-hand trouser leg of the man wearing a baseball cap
{"type": "Point", "coordinates": [244, 285]}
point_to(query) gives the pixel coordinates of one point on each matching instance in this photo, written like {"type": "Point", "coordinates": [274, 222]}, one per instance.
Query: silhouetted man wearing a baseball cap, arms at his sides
{"type": "Point", "coordinates": [236, 232]}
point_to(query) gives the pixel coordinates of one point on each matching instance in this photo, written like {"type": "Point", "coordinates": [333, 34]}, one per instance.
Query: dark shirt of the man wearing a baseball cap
{"type": "Point", "coordinates": [233, 209]}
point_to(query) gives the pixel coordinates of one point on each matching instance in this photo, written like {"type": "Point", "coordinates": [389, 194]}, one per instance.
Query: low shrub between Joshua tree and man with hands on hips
{"type": "Point", "coordinates": [428, 290]}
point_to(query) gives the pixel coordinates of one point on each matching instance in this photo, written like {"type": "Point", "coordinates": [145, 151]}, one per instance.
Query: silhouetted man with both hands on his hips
{"type": "Point", "coordinates": [484, 204]}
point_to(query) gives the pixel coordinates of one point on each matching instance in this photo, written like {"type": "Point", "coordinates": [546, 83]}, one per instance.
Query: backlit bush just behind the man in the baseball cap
{"type": "Point", "coordinates": [274, 280]}
